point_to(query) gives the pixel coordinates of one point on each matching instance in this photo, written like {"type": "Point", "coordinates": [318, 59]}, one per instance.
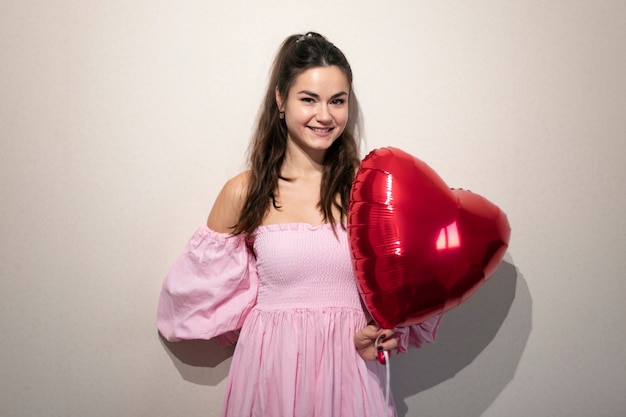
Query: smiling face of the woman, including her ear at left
{"type": "Point", "coordinates": [316, 108]}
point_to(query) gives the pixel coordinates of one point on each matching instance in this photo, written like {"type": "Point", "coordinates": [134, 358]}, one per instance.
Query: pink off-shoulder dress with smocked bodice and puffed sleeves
{"type": "Point", "coordinates": [289, 299]}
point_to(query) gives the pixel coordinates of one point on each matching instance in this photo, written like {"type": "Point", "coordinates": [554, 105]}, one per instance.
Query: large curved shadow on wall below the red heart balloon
{"type": "Point", "coordinates": [497, 315]}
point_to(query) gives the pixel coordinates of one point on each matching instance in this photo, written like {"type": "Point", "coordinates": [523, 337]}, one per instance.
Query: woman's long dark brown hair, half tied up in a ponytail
{"type": "Point", "coordinates": [266, 154]}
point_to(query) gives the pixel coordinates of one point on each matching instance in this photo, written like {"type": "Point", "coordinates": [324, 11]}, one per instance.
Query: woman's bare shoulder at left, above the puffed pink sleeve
{"type": "Point", "coordinates": [228, 204]}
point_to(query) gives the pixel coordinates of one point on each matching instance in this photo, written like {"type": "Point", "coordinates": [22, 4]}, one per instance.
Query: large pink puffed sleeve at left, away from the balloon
{"type": "Point", "coordinates": [210, 289]}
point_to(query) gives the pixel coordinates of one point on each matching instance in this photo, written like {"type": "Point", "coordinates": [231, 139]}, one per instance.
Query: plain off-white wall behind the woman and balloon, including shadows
{"type": "Point", "coordinates": [121, 120]}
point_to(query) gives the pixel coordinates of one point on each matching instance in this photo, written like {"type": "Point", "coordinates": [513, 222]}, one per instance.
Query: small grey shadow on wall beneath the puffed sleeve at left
{"type": "Point", "coordinates": [202, 362]}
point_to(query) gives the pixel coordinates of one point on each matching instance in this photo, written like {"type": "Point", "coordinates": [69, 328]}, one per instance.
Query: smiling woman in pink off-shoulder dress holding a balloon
{"type": "Point", "coordinates": [272, 269]}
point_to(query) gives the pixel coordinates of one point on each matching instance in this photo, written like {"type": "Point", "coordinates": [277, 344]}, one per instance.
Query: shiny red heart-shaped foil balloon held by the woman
{"type": "Point", "coordinates": [419, 248]}
